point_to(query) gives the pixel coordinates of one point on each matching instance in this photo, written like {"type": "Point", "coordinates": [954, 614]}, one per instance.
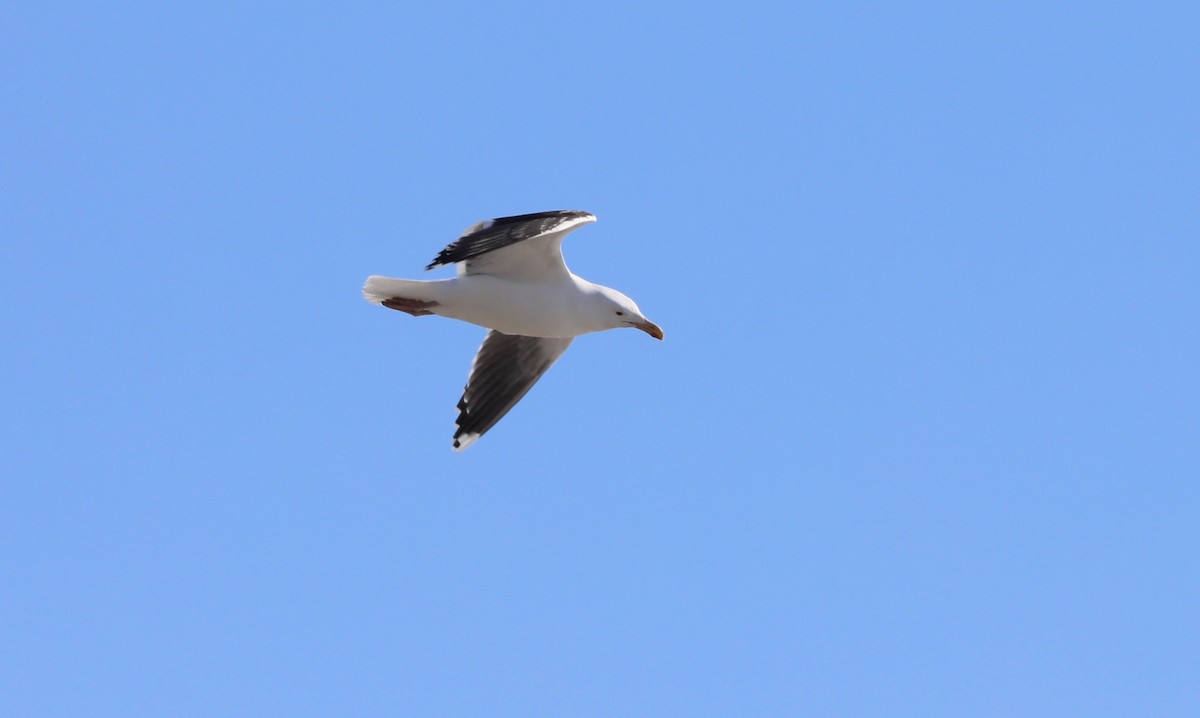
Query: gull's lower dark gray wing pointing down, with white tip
{"type": "Point", "coordinates": [506, 368]}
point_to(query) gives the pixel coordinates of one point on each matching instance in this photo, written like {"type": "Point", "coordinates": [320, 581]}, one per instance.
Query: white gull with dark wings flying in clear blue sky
{"type": "Point", "coordinates": [513, 282]}
